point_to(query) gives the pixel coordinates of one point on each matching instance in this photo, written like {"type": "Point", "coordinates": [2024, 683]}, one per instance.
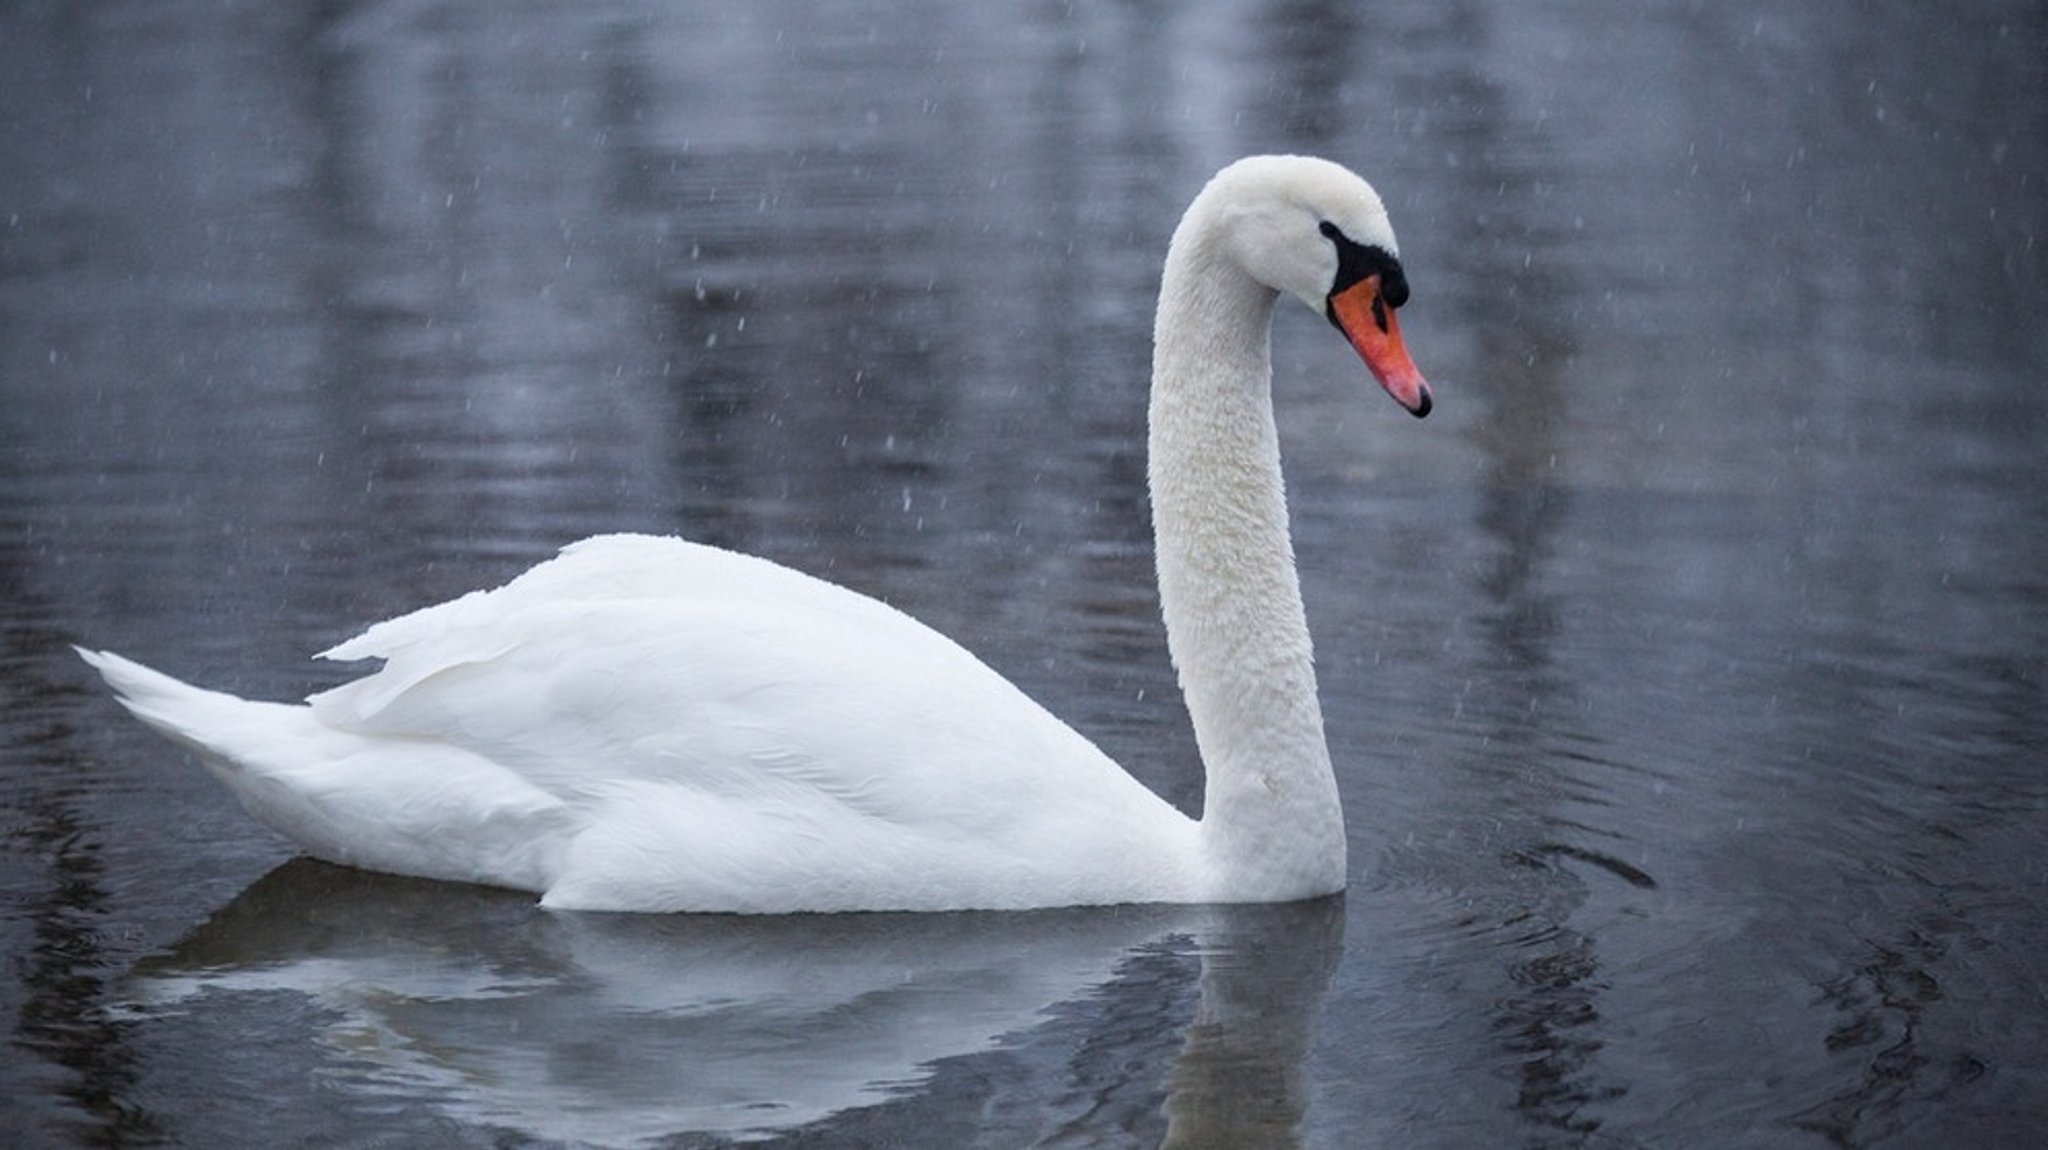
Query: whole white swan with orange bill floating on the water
{"type": "Point", "coordinates": [658, 725]}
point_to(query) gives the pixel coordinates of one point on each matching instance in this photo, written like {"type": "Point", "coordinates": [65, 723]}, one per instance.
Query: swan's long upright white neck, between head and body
{"type": "Point", "coordinates": [1236, 627]}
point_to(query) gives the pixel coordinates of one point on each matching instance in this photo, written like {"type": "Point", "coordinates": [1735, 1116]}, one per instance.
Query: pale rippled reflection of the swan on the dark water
{"type": "Point", "coordinates": [620, 1030]}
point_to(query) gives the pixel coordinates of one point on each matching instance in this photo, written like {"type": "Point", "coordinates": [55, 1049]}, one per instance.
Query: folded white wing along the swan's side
{"type": "Point", "coordinates": [695, 689]}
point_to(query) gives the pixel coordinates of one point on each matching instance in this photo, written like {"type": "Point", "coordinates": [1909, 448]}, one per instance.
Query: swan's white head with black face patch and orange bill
{"type": "Point", "coordinates": [1314, 230]}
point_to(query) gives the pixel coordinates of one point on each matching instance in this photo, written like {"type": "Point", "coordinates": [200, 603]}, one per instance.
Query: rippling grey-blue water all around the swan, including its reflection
{"type": "Point", "coordinates": [1684, 672]}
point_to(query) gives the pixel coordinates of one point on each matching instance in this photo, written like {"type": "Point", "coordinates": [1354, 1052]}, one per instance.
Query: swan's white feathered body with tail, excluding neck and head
{"type": "Point", "coordinates": [663, 725]}
